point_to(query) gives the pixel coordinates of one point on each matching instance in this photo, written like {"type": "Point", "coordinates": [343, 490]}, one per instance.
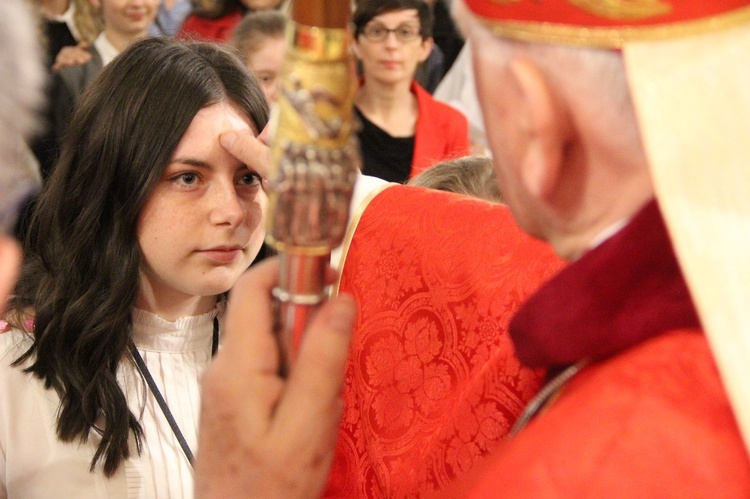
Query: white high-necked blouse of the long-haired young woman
{"type": "Point", "coordinates": [35, 464]}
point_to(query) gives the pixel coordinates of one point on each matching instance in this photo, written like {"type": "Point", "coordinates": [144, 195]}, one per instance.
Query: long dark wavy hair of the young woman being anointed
{"type": "Point", "coordinates": [81, 275]}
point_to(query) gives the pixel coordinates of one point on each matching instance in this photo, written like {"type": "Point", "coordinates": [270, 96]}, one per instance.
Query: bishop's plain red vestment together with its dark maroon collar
{"type": "Point", "coordinates": [649, 417]}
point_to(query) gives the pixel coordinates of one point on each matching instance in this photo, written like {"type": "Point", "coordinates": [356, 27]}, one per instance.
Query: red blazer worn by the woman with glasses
{"type": "Point", "coordinates": [442, 132]}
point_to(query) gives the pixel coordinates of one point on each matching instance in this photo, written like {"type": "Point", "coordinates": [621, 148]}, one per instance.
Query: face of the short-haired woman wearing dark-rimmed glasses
{"type": "Point", "coordinates": [391, 60]}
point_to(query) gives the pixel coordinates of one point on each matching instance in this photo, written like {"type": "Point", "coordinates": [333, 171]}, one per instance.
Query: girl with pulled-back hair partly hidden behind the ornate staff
{"type": "Point", "coordinates": [259, 40]}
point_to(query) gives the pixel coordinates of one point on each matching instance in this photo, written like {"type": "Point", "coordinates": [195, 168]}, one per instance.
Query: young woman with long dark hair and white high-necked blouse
{"type": "Point", "coordinates": [144, 225]}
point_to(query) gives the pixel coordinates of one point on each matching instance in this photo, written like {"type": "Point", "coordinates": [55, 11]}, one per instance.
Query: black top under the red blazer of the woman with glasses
{"type": "Point", "coordinates": [384, 156]}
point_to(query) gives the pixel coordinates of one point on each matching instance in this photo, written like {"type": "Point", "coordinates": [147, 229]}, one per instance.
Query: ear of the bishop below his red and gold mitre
{"type": "Point", "coordinates": [546, 126]}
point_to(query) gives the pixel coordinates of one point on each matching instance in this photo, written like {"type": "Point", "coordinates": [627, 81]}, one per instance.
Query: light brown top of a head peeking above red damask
{"type": "Point", "coordinates": [469, 175]}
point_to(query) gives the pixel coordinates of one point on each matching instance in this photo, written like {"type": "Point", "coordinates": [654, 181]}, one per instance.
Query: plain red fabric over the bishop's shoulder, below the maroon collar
{"type": "Point", "coordinates": [651, 422]}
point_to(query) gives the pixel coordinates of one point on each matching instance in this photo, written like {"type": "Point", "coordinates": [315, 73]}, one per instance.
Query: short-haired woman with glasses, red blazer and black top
{"type": "Point", "coordinates": [404, 130]}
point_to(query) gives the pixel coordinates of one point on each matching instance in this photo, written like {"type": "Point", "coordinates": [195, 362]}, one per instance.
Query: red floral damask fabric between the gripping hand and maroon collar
{"type": "Point", "coordinates": [432, 381]}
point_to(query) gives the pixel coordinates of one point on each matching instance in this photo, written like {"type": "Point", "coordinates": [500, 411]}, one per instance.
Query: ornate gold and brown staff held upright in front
{"type": "Point", "coordinates": [315, 161]}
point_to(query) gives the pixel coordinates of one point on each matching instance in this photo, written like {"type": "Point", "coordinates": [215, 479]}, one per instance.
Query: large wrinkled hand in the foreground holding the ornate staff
{"type": "Point", "coordinates": [261, 435]}
